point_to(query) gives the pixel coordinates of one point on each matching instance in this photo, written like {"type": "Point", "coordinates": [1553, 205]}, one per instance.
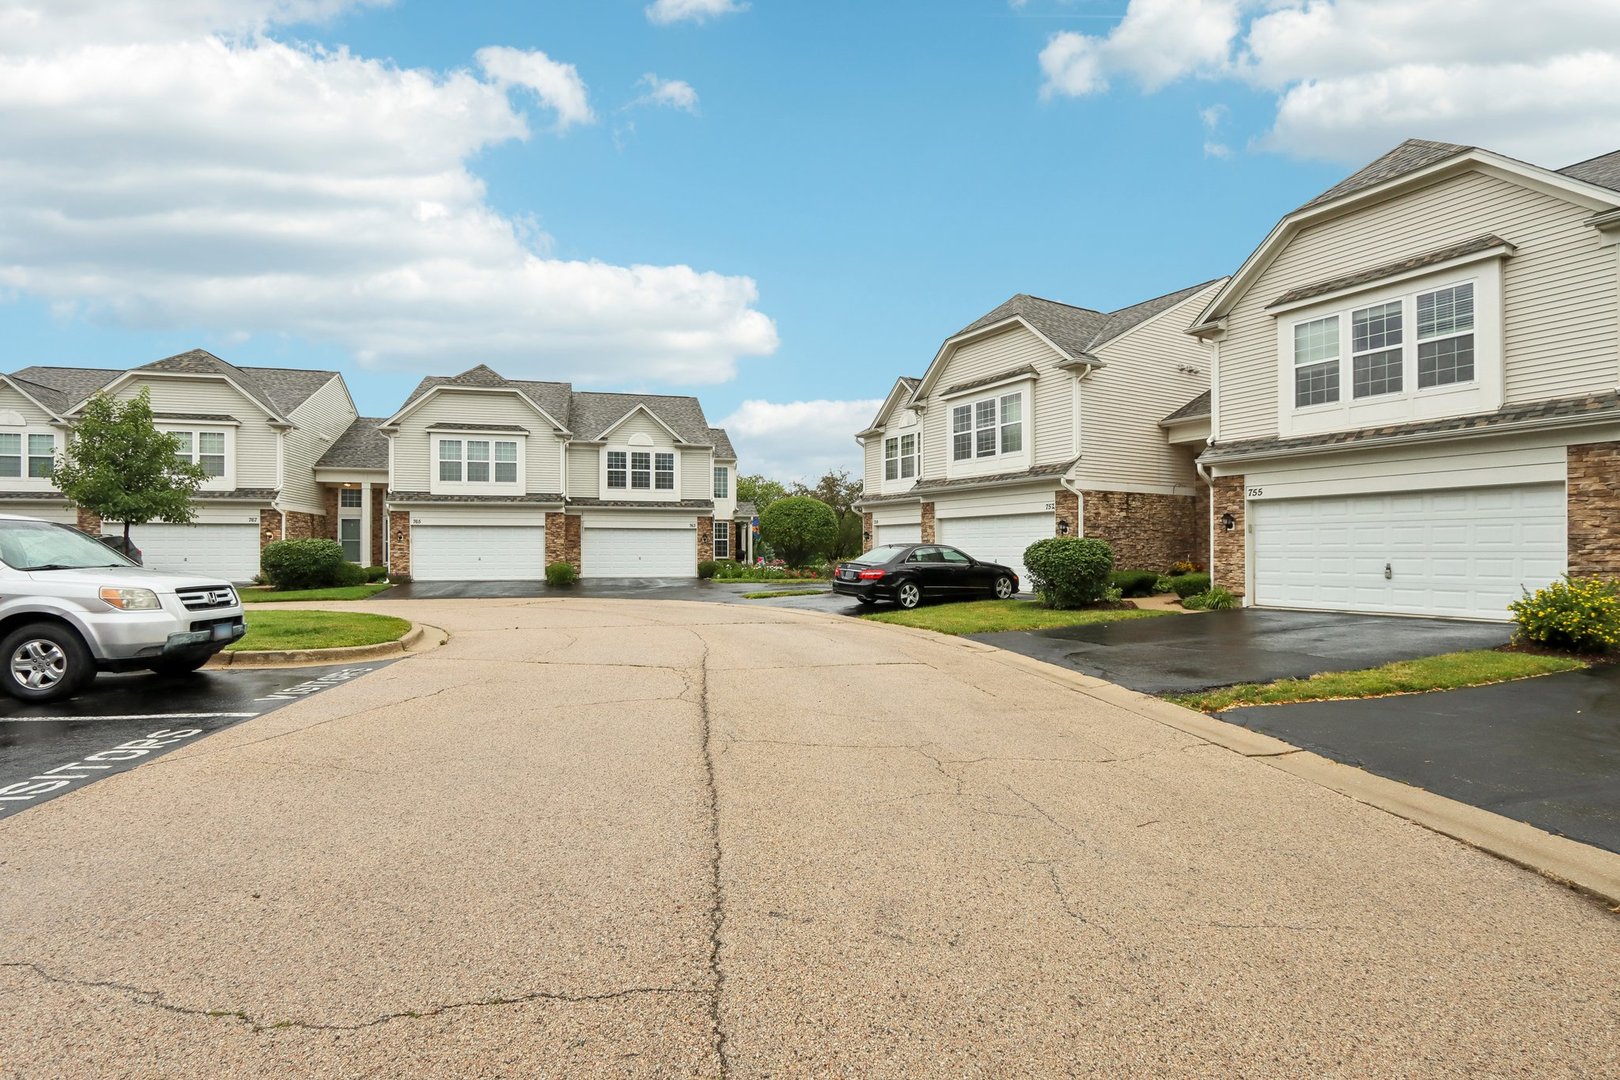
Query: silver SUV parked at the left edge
{"type": "Point", "coordinates": [72, 606]}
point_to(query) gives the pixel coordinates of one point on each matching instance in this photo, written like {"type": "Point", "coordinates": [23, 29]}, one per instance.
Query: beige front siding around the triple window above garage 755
{"type": "Point", "coordinates": [1559, 291]}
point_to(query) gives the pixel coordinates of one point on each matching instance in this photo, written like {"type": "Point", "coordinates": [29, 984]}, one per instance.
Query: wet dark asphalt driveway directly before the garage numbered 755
{"type": "Point", "coordinates": [1185, 653]}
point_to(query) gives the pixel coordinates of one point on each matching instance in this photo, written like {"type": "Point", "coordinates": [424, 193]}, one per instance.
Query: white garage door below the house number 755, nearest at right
{"type": "Point", "coordinates": [1430, 553]}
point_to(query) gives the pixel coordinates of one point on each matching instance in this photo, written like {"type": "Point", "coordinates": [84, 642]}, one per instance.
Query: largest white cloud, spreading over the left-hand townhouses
{"type": "Point", "coordinates": [254, 187]}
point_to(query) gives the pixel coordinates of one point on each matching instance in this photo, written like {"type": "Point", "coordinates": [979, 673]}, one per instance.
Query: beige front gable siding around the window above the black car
{"type": "Point", "coordinates": [989, 357]}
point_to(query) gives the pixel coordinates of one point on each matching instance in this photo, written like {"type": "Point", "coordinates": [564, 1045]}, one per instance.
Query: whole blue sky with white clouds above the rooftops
{"type": "Point", "coordinates": [775, 206]}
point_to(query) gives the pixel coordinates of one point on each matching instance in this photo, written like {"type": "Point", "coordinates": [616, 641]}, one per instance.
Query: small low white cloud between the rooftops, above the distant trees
{"type": "Point", "coordinates": [803, 441]}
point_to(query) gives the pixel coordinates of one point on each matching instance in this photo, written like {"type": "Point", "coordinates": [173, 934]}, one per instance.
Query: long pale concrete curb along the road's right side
{"type": "Point", "coordinates": [1582, 867]}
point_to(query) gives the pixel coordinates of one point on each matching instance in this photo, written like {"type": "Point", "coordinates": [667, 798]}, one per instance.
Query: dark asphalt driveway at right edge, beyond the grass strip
{"type": "Point", "coordinates": [1538, 750]}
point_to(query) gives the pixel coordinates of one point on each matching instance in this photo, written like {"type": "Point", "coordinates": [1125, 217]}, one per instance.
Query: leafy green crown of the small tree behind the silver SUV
{"type": "Point", "coordinates": [122, 469]}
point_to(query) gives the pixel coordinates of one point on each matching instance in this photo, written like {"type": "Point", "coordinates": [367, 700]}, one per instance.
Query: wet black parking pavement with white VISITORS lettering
{"type": "Point", "coordinates": [124, 721]}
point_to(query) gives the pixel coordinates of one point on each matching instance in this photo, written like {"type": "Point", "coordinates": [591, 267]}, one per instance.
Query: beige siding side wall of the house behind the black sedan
{"type": "Point", "coordinates": [1141, 385]}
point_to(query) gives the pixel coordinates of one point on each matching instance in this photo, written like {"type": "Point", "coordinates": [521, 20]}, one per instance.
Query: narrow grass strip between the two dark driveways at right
{"type": "Point", "coordinates": [1451, 671]}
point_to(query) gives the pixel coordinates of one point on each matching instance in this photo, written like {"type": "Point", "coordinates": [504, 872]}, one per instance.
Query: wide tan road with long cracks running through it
{"type": "Point", "coordinates": [644, 840]}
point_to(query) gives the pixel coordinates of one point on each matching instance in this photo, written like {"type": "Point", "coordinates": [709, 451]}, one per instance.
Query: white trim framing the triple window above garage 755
{"type": "Point", "coordinates": [1412, 402]}
